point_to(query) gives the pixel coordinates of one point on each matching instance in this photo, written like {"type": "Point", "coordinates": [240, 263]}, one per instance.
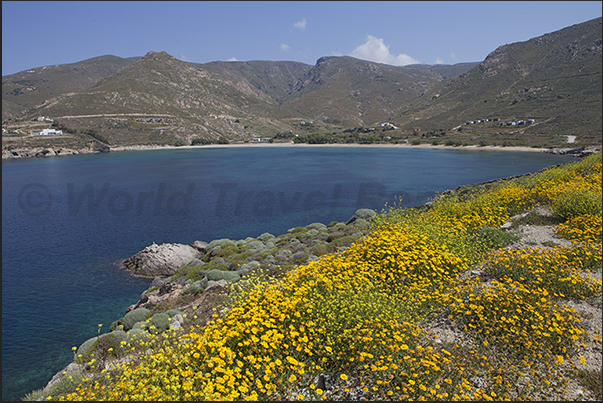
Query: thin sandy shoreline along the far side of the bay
{"type": "Point", "coordinates": [569, 150]}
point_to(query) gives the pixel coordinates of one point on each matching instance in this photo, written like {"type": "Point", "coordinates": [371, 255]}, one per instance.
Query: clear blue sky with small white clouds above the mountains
{"type": "Point", "coordinates": [41, 33]}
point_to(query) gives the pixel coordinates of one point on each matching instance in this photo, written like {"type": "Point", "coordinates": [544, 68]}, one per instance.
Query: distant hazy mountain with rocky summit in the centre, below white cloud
{"type": "Point", "coordinates": [351, 92]}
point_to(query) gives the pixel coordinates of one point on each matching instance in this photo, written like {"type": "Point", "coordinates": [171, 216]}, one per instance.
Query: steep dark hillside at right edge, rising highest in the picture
{"type": "Point", "coordinates": [554, 79]}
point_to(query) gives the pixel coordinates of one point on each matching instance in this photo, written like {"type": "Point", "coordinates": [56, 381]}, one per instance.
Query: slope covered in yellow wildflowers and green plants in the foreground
{"type": "Point", "coordinates": [432, 304]}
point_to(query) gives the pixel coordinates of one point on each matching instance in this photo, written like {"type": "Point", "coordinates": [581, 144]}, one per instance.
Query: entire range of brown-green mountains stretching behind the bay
{"type": "Point", "coordinates": [554, 79]}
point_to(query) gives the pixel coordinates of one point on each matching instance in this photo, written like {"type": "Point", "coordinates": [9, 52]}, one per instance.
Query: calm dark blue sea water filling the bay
{"type": "Point", "coordinates": [65, 221]}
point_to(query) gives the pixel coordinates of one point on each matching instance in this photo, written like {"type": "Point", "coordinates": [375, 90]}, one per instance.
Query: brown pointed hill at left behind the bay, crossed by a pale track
{"type": "Point", "coordinates": [159, 98]}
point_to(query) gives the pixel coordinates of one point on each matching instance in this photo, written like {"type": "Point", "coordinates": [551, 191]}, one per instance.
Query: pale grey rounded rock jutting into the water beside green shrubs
{"type": "Point", "coordinates": [161, 260]}
